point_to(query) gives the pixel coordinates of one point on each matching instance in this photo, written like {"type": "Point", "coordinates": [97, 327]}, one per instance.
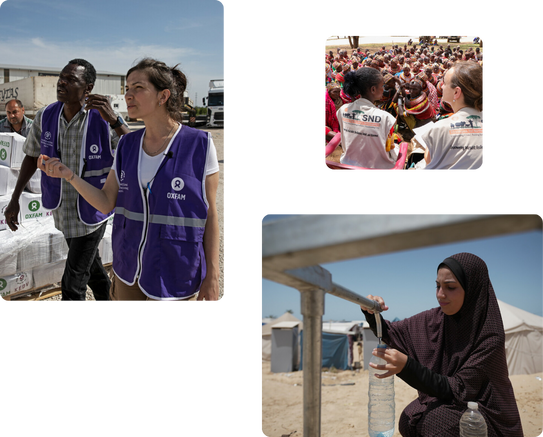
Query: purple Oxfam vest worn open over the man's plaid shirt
{"type": "Point", "coordinates": [95, 161]}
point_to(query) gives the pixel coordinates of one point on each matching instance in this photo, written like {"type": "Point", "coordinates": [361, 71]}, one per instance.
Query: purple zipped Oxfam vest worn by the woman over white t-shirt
{"type": "Point", "coordinates": [158, 234]}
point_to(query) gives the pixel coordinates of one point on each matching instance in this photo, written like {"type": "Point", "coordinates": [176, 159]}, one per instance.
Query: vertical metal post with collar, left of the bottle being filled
{"type": "Point", "coordinates": [312, 311]}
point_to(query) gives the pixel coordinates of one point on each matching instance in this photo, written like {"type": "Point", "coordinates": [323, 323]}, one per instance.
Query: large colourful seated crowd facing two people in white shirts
{"type": "Point", "coordinates": [413, 83]}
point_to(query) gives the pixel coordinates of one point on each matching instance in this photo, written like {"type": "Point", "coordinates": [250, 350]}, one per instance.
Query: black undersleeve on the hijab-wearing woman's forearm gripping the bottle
{"type": "Point", "coordinates": [426, 381]}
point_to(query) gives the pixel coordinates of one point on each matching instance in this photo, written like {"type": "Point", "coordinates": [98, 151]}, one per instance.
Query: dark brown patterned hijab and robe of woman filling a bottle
{"type": "Point", "coordinates": [469, 349]}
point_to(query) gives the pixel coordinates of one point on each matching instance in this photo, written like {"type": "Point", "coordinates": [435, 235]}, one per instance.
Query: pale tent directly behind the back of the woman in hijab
{"type": "Point", "coordinates": [523, 340]}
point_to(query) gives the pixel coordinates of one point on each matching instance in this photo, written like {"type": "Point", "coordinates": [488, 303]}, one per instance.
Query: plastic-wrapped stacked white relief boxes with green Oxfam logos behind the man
{"type": "Point", "coordinates": [35, 255]}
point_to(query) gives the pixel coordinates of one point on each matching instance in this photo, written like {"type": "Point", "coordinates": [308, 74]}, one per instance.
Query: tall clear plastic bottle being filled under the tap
{"type": "Point", "coordinates": [381, 401]}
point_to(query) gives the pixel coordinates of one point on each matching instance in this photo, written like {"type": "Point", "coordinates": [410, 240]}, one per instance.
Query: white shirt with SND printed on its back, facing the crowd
{"type": "Point", "coordinates": [364, 131]}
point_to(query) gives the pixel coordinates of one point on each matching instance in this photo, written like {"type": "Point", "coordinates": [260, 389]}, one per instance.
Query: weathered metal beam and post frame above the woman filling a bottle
{"type": "Point", "coordinates": [292, 248]}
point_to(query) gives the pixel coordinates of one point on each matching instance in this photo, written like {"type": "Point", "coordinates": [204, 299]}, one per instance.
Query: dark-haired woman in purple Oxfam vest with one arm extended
{"type": "Point", "coordinates": [163, 186]}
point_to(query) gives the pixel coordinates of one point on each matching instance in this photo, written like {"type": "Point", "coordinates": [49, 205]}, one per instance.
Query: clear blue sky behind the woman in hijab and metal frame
{"type": "Point", "coordinates": [406, 280]}
